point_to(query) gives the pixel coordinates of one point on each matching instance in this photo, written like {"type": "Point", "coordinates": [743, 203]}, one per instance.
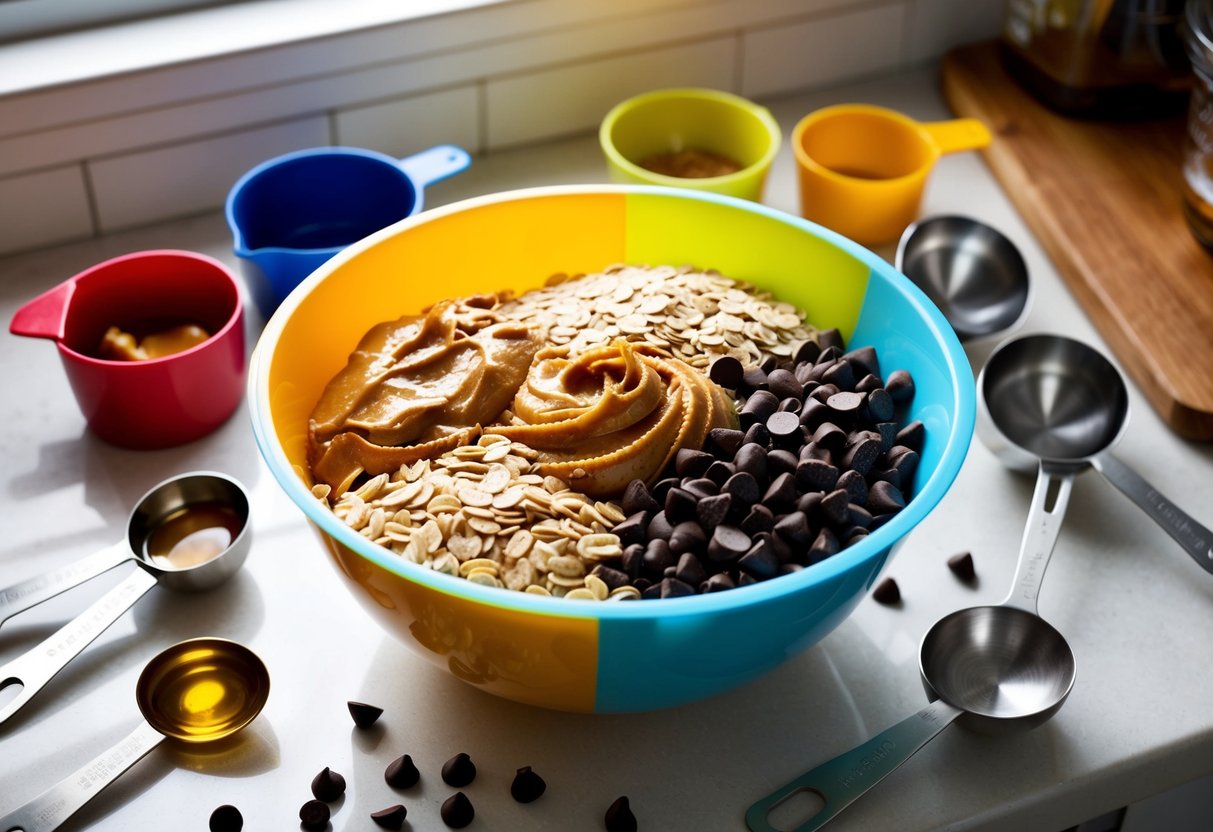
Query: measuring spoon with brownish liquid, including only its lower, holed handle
{"type": "Point", "coordinates": [195, 534]}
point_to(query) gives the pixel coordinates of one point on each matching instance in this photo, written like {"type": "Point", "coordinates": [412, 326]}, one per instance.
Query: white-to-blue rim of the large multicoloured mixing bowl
{"type": "Point", "coordinates": [876, 545]}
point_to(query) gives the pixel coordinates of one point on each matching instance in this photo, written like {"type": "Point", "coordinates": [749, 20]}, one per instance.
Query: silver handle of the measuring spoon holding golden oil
{"type": "Point", "coordinates": [60, 802]}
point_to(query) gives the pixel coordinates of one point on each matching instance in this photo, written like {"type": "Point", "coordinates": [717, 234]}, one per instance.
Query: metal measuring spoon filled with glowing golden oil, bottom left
{"type": "Point", "coordinates": [196, 692]}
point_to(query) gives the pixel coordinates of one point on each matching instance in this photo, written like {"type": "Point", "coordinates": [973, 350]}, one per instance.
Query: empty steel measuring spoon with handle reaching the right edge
{"type": "Point", "coordinates": [1051, 401]}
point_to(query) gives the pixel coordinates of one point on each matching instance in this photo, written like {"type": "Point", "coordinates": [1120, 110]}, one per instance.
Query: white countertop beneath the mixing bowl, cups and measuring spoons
{"type": "Point", "coordinates": [1135, 608]}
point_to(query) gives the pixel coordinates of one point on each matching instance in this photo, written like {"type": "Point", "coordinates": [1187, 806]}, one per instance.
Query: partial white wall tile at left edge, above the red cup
{"type": "Point", "coordinates": [44, 208]}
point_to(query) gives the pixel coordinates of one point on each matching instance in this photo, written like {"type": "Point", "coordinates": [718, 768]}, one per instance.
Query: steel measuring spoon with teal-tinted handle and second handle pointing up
{"type": "Point", "coordinates": [993, 670]}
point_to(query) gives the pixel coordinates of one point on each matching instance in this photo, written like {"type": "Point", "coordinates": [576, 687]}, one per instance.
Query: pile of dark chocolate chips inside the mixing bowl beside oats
{"type": "Point", "coordinates": [818, 464]}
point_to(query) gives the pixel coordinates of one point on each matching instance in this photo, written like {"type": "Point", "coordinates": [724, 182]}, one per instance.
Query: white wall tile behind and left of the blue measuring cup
{"type": "Point", "coordinates": [149, 186]}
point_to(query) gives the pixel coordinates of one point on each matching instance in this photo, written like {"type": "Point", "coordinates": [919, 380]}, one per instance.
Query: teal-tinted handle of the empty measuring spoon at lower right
{"type": "Point", "coordinates": [851, 774]}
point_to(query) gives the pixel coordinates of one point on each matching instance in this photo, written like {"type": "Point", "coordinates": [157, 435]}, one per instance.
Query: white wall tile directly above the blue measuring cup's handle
{"type": "Point", "coordinates": [408, 126]}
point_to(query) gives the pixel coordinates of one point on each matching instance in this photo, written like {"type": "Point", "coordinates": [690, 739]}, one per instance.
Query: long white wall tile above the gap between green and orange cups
{"type": "Point", "coordinates": [822, 50]}
